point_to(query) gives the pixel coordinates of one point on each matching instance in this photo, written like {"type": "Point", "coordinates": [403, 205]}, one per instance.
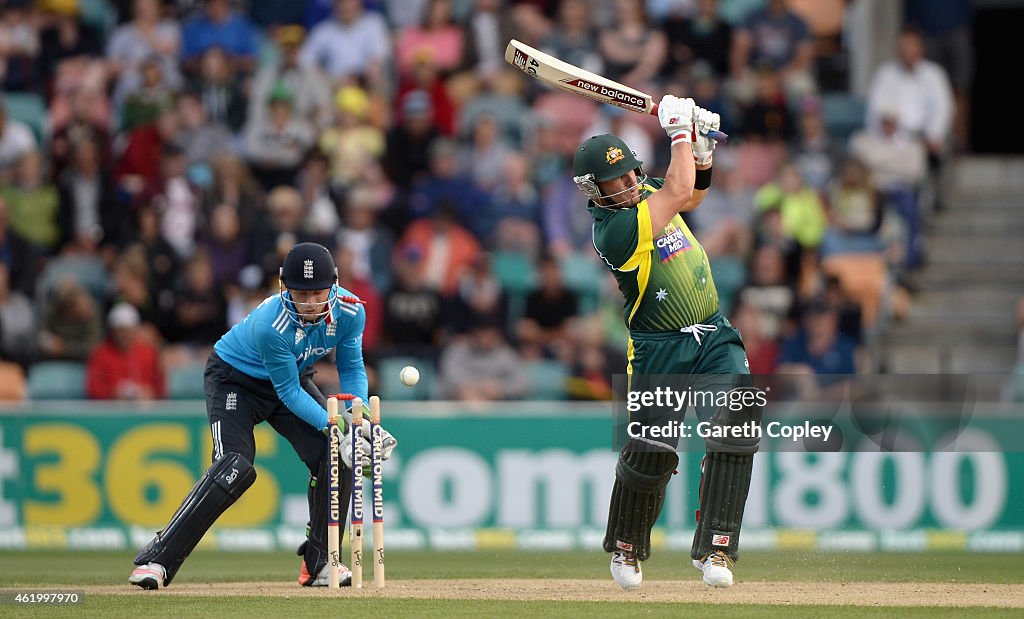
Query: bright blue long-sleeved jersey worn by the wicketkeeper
{"type": "Point", "coordinates": [270, 346]}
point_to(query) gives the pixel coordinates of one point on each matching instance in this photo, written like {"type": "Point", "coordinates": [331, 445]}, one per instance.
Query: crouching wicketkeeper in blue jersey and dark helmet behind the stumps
{"type": "Point", "coordinates": [262, 370]}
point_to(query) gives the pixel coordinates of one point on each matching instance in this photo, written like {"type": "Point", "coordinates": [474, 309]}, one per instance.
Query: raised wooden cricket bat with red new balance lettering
{"type": "Point", "coordinates": [580, 81]}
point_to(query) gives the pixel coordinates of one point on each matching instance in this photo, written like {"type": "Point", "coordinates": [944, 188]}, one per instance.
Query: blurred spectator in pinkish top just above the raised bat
{"type": "Point", "coordinates": [632, 51]}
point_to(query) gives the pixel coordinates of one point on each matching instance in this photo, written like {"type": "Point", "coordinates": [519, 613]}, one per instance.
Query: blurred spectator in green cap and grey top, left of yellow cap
{"type": "Point", "coordinates": [276, 145]}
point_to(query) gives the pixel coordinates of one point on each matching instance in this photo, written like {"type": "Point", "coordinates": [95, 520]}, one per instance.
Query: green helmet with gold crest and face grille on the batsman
{"type": "Point", "coordinates": [604, 158]}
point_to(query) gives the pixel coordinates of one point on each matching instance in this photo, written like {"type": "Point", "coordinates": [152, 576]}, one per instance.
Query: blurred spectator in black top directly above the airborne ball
{"type": "Point", "coordinates": [413, 312]}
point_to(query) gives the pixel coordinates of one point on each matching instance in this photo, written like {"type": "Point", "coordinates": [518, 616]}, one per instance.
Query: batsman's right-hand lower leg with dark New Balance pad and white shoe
{"type": "Point", "coordinates": [724, 485]}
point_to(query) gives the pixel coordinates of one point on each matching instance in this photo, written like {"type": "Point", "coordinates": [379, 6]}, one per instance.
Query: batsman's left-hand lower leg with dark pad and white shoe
{"type": "Point", "coordinates": [637, 498]}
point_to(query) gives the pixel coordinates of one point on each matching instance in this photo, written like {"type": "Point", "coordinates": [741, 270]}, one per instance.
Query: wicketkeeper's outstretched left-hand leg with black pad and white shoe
{"type": "Point", "coordinates": [219, 489]}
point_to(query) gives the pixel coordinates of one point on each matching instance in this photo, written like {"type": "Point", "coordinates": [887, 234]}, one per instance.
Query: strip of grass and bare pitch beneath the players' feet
{"type": "Point", "coordinates": [532, 585]}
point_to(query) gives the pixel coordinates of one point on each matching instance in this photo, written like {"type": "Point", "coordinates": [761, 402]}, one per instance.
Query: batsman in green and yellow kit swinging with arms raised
{"type": "Point", "coordinates": [671, 310]}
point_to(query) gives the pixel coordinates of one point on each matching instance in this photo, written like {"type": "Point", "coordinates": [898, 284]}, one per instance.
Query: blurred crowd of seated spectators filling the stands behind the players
{"type": "Point", "coordinates": [159, 158]}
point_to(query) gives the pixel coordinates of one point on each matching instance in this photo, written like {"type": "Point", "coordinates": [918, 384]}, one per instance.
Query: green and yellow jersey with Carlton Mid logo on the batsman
{"type": "Point", "coordinates": [664, 275]}
